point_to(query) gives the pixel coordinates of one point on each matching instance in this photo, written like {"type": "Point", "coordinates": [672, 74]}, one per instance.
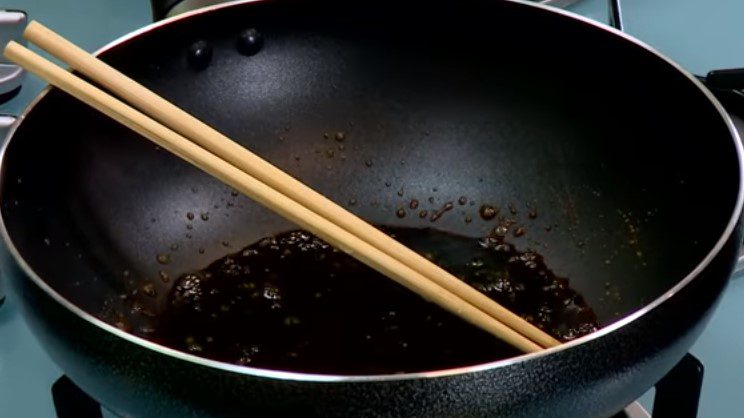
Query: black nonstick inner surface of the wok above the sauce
{"type": "Point", "coordinates": [623, 160]}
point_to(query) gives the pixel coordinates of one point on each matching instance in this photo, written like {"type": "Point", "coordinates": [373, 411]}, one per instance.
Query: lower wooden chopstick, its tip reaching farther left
{"type": "Point", "coordinates": [263, 194]}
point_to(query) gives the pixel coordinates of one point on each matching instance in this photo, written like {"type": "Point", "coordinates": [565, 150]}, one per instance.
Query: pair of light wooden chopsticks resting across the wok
{"type": "Point", "coordinates": [182, 134]}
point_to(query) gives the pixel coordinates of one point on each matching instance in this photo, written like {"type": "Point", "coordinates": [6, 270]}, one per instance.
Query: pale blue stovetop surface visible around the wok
{"type": "Point", "coordinates": [700, 35]}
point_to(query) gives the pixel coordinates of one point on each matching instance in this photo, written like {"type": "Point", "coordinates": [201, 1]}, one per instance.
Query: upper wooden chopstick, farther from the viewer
{"type": "Point", "coordinates": [222, 146]}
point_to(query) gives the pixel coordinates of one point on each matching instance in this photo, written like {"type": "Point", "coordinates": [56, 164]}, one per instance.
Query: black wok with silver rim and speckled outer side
{"type": "Point", "coordinates": [631, 163]}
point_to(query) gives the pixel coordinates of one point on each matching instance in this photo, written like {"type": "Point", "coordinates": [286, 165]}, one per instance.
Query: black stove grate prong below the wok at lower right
{"type": "Point", "coordinates": [678, 393]}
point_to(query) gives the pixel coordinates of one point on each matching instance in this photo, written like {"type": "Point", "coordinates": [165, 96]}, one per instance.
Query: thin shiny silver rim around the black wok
{"type": "Point", "coordinates": [451, 372]}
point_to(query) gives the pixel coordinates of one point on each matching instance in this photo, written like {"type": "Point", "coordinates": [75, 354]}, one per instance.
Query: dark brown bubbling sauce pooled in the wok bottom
{"type": "Point", "coordinates": [293, 302]}
